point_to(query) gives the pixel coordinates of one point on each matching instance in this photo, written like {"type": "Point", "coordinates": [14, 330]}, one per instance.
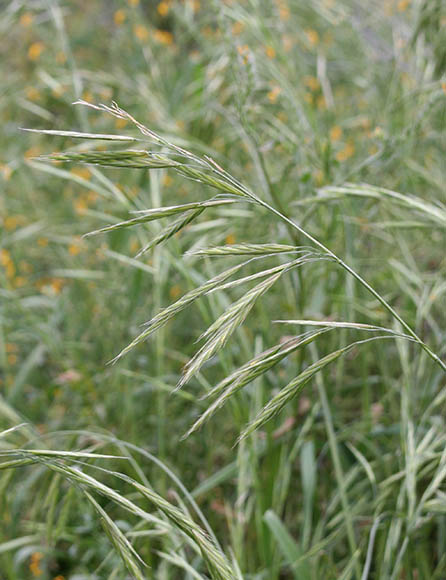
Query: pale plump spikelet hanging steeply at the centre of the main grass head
{"type": "Point", "coordinates": [219, 332]}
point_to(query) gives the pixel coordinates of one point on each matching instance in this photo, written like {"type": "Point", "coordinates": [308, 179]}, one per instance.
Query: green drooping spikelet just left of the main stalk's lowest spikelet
{"type": "Point", "coordinates": [249, 371]}
